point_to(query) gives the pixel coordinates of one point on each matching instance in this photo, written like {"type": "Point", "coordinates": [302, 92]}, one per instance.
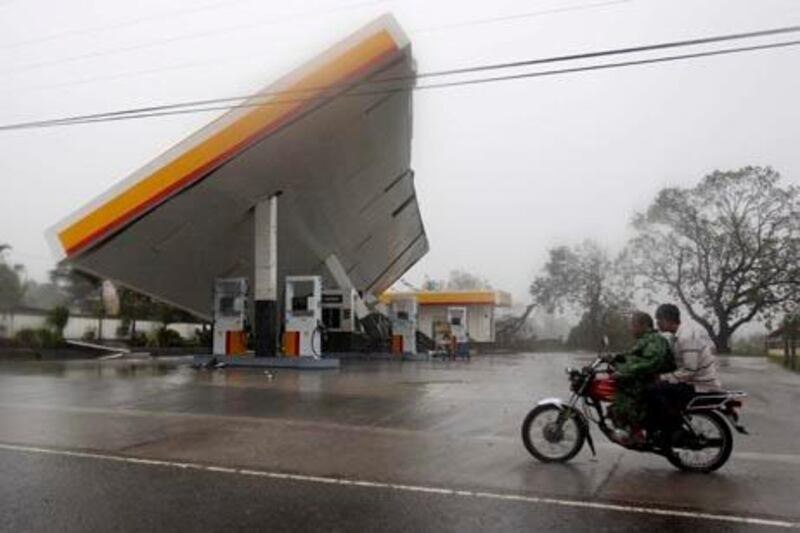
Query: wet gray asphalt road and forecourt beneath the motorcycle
{"type": "Point", "coordinates": [425, 425]}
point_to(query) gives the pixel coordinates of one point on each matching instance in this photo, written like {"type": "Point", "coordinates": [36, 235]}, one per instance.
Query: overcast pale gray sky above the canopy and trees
{"type": "Point", "coordinates": [503, 171]}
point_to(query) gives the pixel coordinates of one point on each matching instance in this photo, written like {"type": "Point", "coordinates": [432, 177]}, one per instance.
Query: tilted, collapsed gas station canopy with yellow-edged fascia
{"type": "Point", "coordinates": [334, 143]}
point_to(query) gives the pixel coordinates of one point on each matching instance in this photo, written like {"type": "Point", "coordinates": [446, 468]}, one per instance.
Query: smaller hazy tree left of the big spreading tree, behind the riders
{"type": "Point", "coordinates": [586, 280]}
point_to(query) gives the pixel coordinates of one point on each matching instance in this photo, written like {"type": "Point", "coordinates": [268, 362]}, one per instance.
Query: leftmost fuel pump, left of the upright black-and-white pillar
{"type": "Point", "coordinates": [230, 316]}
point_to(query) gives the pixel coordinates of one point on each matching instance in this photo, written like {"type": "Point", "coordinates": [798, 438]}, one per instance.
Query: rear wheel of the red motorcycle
{"type": "Point", "coordinates": [711, 451]}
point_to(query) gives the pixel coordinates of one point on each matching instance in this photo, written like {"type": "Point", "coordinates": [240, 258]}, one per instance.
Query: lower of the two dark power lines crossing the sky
{"type": "Point", "coordinates": [156, 112]}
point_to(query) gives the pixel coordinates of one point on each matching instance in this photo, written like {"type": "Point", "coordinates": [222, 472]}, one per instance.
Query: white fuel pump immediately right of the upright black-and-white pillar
{"type": "Point", "coordinates": [303, 337]}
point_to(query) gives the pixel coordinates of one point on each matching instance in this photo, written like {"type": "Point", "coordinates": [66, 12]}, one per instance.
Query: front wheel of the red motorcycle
{"type": "Point", "coordinates": [553, 434]}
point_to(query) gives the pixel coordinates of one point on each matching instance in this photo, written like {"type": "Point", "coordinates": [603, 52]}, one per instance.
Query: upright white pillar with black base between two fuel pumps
{"type": "Point", "coordinates": [265, 289]}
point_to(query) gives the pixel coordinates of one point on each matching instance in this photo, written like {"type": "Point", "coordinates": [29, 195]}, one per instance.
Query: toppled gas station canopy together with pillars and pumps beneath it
{"type": "Point", "coordinates": [285, 218]}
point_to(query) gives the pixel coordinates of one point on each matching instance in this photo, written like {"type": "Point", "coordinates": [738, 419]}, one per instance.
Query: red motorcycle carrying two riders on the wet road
{"type": "Point", "coordinates": [555, 431]}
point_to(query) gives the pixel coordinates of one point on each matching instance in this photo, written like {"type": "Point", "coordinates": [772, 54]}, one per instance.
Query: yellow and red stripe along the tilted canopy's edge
{"type": "Point", "coordinates": [197, 161]}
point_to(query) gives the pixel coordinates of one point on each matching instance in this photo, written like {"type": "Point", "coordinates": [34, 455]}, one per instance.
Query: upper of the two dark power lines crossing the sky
{"type": "Point", "coordinates": [433, 74]}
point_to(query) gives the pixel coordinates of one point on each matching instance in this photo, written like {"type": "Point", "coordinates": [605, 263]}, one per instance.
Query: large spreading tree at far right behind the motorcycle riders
{"type": "Point", "coordinates": [727, 249]}
